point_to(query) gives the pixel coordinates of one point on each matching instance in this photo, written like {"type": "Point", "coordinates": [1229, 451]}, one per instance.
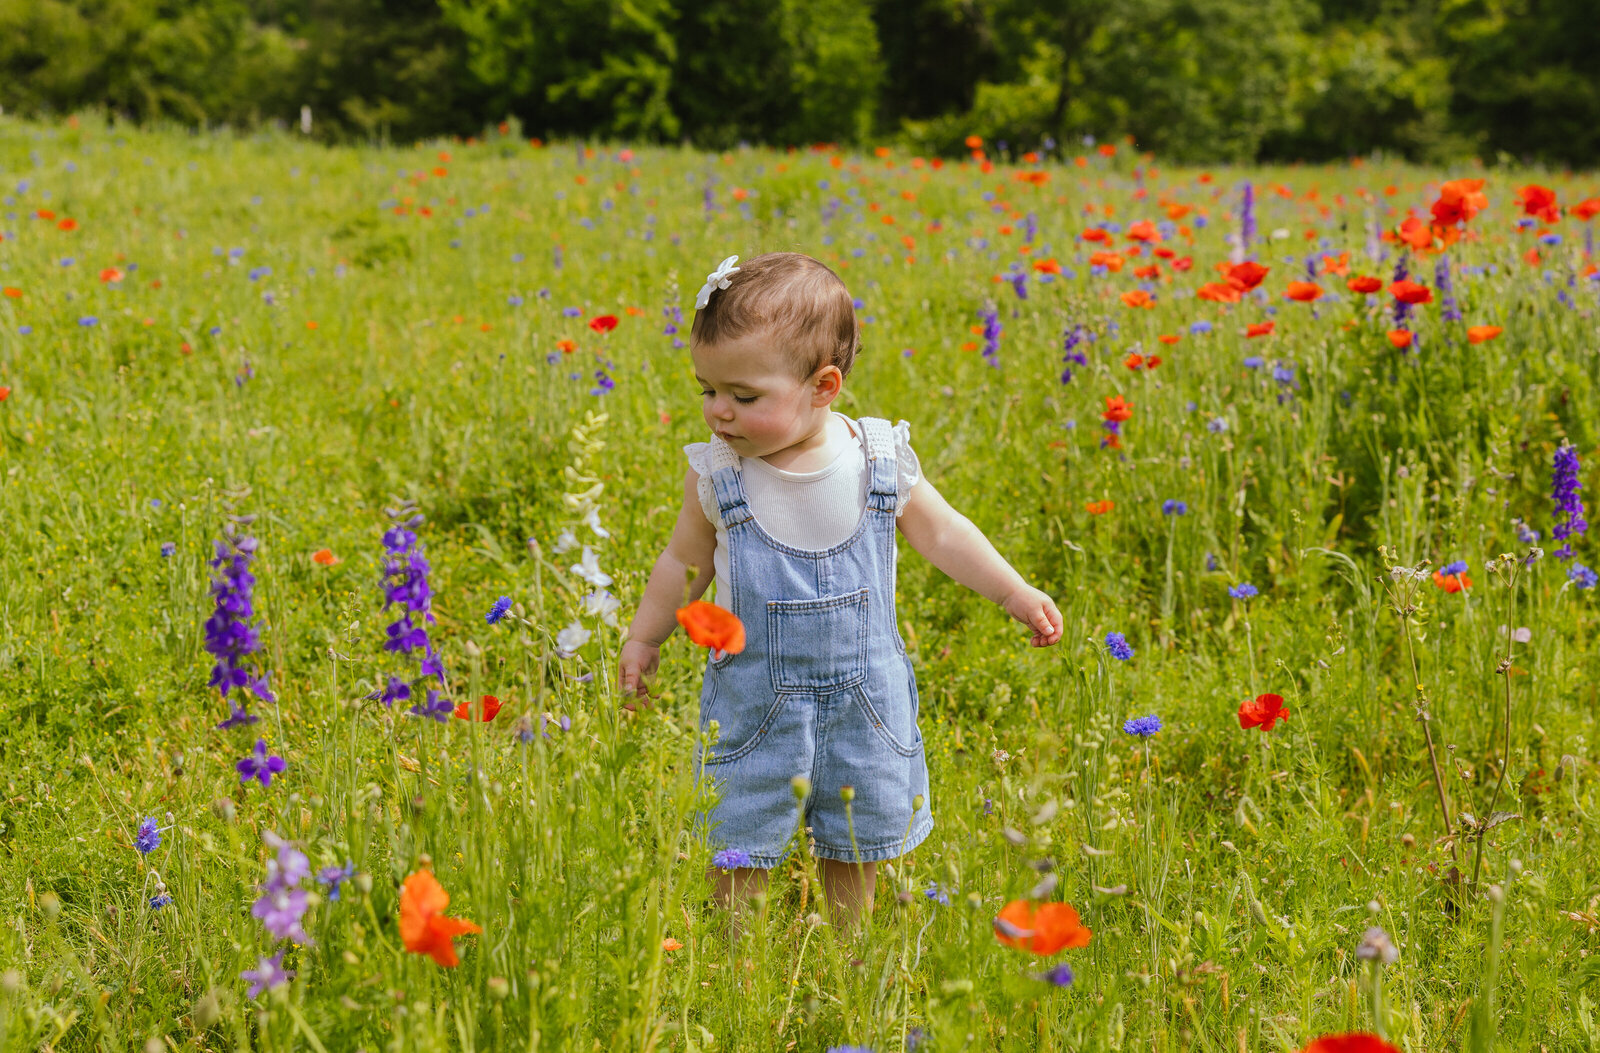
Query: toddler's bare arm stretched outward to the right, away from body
{"type": "Point", "coordinates": [956, 547]}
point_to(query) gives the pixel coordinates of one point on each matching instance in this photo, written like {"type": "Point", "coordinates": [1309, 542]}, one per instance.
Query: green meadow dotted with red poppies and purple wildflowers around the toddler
{"type": "Point", "coordinates": [1300, 452]}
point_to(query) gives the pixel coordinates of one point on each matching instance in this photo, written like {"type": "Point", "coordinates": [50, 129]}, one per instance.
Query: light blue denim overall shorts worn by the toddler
{"type": "Point", "coordinates": [823, 689]}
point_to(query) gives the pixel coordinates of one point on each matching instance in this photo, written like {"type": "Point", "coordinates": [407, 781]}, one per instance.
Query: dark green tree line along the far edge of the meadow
{"type": "Point", "coordinates": [1230, 81]}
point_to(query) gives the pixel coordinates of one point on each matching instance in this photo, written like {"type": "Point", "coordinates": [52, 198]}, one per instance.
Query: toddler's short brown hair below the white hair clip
{"type": "Point", "coordinates": [799, 300]}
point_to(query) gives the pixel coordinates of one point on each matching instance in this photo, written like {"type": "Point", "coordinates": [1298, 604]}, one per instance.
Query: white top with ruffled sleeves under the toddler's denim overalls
{"type": "Point", "coordinates": [806, 510]}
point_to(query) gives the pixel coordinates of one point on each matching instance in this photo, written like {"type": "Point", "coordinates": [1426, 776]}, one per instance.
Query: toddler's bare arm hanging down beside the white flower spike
{"type": "Point", "coordinates": [694, 545]}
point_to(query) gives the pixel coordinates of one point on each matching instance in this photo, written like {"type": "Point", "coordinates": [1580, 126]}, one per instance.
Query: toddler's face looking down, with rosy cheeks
{"type": "Point", "coordinates": [750, 396]}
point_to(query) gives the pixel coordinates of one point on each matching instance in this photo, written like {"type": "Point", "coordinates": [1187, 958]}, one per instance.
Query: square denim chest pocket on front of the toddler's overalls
{"type": "Point", "coordinates": [818, 646]}
